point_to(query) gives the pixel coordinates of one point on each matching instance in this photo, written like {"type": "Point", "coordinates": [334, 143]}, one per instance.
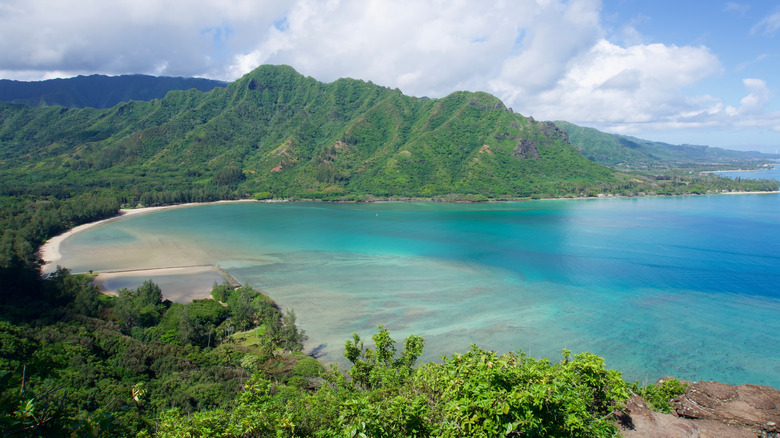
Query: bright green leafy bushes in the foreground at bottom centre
{"type": "Point", "coordinates": [477, 394]}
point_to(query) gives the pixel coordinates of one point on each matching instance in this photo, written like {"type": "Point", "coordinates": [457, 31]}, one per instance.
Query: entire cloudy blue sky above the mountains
{"type": "Point", "coordinates": [684, 72]}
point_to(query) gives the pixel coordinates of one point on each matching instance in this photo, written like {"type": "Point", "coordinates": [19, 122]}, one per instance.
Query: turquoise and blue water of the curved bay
{"type": "Point", "coordinates": [681, 286]}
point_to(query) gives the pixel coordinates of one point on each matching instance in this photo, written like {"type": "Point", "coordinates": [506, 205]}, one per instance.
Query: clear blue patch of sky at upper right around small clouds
{"type": "Point", "coordinates": [743, 36]}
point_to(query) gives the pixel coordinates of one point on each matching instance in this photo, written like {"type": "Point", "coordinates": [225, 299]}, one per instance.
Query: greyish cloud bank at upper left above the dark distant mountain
{"type": "Point", "coordinates": [139, 36]}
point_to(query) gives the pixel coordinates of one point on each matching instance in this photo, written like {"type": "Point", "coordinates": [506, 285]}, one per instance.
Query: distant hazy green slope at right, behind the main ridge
{"type": "Point", "coordinates": [620, 151]}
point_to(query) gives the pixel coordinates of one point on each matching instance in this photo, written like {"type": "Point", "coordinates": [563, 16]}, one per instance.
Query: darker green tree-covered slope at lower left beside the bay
{"type": "Point", "coordinates": [97, 365]}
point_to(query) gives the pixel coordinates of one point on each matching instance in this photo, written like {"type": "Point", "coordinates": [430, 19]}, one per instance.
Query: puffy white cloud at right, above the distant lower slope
{"type": "Point", "coordinates": [636, 84]}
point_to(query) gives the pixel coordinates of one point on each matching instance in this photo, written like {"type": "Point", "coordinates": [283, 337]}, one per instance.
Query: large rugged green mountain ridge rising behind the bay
{"type": "Point", "coordinates": [277, 132]}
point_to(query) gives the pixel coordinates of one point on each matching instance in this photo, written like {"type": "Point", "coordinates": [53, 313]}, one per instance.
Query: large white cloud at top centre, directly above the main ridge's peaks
{"type": "Point", "coordinates": [423, 47]}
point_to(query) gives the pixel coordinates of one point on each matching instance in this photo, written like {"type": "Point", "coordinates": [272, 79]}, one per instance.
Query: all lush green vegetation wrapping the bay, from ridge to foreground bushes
{"type": "Point", "coordinates": [74, 362]}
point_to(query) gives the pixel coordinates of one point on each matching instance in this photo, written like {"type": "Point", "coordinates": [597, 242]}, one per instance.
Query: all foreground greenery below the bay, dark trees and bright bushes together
{"type": "Point", "coordinates": [94, 365]}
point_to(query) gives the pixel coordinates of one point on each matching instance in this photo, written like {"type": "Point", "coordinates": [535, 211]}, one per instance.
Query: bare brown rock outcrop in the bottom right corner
{"type": "Point", "coordinates": [708, 409]}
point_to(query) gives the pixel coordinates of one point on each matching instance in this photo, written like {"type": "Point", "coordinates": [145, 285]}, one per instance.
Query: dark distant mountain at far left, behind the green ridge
{"type": "Point", "coordinates": [97, 91]}
